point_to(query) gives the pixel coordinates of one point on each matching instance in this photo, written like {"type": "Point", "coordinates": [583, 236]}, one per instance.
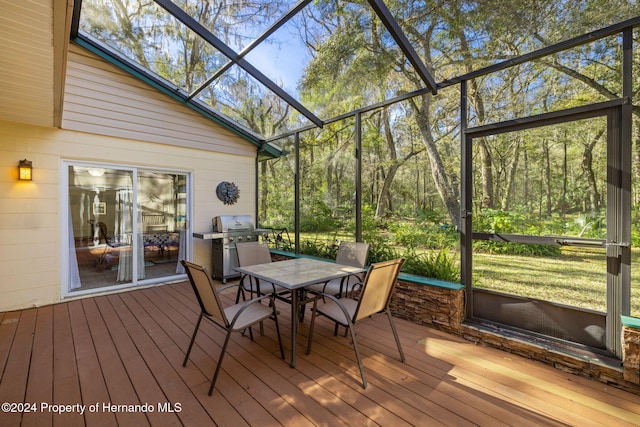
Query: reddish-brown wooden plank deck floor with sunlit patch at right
{"type": "Point", "coordinates": [127, 349]}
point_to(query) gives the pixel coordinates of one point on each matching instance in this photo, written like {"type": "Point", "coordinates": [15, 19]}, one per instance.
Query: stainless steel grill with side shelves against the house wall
{"type": "Point", "coordinates": [227, 230]}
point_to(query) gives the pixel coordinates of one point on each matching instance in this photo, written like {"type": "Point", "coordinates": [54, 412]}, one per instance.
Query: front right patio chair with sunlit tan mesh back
{"type": "Point", "coordinates": [374, 298]}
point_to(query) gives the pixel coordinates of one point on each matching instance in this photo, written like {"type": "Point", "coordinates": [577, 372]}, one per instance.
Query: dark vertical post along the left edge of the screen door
{"type": "Point", "coordinates": [466, 205]}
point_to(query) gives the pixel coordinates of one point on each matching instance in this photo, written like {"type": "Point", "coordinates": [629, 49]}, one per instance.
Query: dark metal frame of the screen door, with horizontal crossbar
{"type": "Point", "coordinates": [618, 214]}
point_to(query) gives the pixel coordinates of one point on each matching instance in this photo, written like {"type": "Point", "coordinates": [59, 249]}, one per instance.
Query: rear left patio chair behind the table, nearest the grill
{"type": "Point", "coordinates": [252, 253]}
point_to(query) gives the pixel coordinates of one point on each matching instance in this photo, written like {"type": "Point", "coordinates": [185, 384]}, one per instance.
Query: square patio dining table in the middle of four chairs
{"type": "Point", "coordinates": [295, 275]}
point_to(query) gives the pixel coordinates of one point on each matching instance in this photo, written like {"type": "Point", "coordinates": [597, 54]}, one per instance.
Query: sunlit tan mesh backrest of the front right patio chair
{"type": "Point", "coordinates": [377, 288]}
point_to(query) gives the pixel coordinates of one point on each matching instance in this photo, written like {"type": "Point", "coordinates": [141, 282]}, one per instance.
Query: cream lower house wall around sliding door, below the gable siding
{"type": "Point", "coordinates": [31, 215]}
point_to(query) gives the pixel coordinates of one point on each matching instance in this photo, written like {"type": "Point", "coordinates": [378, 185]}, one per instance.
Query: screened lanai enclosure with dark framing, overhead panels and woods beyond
{"type": "Point", "coordinates": [495, 143]}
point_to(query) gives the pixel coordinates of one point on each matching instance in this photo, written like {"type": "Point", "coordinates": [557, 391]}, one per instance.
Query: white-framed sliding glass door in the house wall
{"type": "Point", "coordinates": [126, 225]}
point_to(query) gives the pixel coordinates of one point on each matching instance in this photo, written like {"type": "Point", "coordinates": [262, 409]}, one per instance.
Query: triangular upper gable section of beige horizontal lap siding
{"type": "Point", "coordinates": [100, 98]}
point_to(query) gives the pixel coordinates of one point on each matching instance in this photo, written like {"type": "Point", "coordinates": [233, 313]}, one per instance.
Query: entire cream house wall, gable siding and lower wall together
{"type": "Point", "coordinates": [158, 133]}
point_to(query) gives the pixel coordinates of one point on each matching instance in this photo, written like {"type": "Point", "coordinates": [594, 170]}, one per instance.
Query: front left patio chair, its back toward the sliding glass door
{"type": "Point", "coordinates": [235, 318]}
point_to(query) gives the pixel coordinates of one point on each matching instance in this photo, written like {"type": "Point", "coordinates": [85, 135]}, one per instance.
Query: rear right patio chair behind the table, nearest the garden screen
{"type": "Point", "coordinates": [353, 254]}
